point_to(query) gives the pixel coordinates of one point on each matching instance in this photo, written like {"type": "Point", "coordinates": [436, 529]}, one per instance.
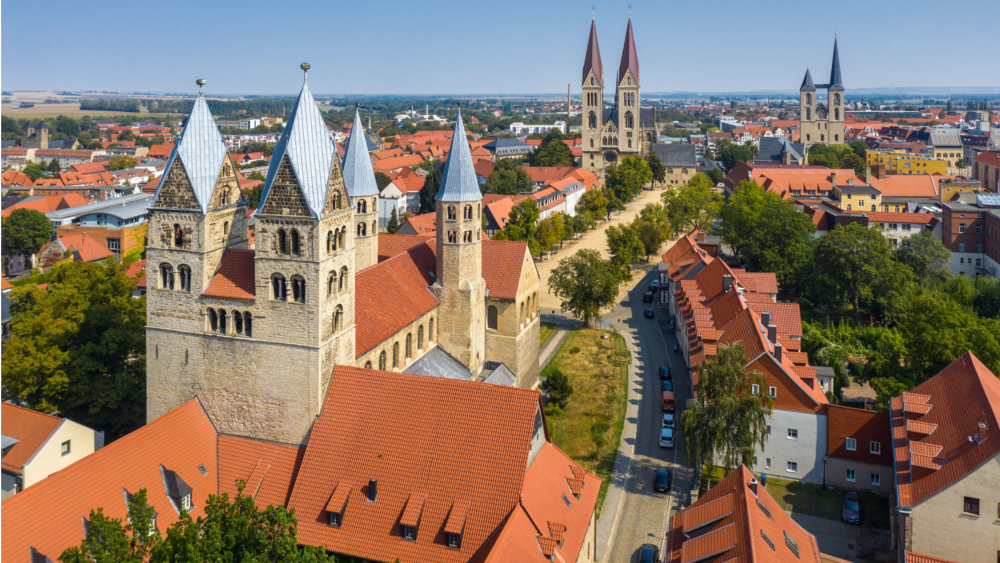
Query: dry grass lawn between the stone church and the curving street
{"type": "Point", "coordinates": [589, 428]}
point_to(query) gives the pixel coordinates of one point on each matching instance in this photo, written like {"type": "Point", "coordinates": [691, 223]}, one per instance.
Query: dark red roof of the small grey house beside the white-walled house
{"type": "Point", "coordinates": [864, 426]}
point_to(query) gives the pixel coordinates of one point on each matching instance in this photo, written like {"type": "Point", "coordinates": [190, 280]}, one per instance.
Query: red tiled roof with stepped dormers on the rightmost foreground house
{"type": "Point", "coordinates": [963, 400]}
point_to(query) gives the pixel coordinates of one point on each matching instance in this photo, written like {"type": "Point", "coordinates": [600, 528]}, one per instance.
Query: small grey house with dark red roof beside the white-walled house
{"type": "Point", "coordinates": [859, 450]}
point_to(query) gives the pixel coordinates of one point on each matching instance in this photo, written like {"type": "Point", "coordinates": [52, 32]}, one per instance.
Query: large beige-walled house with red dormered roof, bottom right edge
{"type": "Point", "coordinates": [946, 454]}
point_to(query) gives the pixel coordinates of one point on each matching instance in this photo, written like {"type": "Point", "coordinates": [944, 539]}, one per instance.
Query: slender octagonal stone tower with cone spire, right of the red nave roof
{"type": "Point", "coordinates": [459, 283]}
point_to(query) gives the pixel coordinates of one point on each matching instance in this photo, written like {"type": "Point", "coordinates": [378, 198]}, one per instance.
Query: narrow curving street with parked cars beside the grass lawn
{"type": "Point", "coordinates": [644, 513]}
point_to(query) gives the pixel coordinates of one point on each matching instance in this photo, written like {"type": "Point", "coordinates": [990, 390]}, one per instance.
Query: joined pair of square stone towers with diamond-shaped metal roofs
{"type": "Point", "coordinates": [253, 334]}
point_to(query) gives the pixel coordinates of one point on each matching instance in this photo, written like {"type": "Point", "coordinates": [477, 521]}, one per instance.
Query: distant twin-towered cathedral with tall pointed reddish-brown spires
{"type": "Point", "coordinates": [625, 128]}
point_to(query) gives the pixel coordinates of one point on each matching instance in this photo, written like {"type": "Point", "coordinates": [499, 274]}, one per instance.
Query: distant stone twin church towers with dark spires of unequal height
{"type": "Point", "coordinates": [822, 124]}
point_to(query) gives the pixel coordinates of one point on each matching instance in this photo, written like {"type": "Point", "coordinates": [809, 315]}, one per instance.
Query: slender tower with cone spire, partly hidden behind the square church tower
{"type": "Point", "coordinates": [363, 191]}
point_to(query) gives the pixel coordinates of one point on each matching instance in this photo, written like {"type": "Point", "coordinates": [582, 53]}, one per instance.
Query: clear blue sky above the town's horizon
{"type": "Point", "coordinates": [462, 47]}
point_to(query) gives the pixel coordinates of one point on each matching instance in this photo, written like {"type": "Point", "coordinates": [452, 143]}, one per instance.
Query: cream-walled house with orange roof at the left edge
{"type": "Point", "coordinates": [36, 445]}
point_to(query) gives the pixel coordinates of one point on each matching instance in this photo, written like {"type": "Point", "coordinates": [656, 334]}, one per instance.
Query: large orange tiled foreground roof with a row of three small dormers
{"type": "Point", "coordinates": [466, 443]}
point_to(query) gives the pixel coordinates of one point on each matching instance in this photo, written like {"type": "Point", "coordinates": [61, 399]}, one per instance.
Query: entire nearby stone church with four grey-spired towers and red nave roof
{"type": "Point", "coordinates": [255, 333]}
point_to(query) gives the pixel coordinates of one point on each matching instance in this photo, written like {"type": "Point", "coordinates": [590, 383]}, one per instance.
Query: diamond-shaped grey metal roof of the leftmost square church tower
{"type": "Point", "coordinates": [201, 150]}
